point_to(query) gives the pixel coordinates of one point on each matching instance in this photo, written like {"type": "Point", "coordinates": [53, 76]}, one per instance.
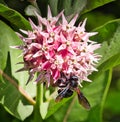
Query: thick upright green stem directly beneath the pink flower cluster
{"type": "Point", "coordinates": [39, 97]}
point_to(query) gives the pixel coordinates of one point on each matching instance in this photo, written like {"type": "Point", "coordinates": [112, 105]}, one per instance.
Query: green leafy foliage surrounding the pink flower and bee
{"type": "Point", "coordinates": [103, 93]}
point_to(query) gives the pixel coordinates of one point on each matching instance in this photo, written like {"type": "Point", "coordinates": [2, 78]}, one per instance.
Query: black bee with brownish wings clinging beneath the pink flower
{"type": "Point", "coordinates": [66, 88]}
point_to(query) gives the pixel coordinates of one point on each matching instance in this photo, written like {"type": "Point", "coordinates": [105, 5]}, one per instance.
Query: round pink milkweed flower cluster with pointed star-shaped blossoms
{"type": "Point", "coordinates": [56, 46]}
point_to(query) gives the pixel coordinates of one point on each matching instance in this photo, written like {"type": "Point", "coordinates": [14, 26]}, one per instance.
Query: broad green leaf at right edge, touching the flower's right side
{"type": "Point", "coordinates": [109, 36]}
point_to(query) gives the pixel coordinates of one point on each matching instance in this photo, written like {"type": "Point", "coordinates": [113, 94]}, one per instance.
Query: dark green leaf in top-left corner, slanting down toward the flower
{"type": "Point", "coordinates": [14, 17]}
